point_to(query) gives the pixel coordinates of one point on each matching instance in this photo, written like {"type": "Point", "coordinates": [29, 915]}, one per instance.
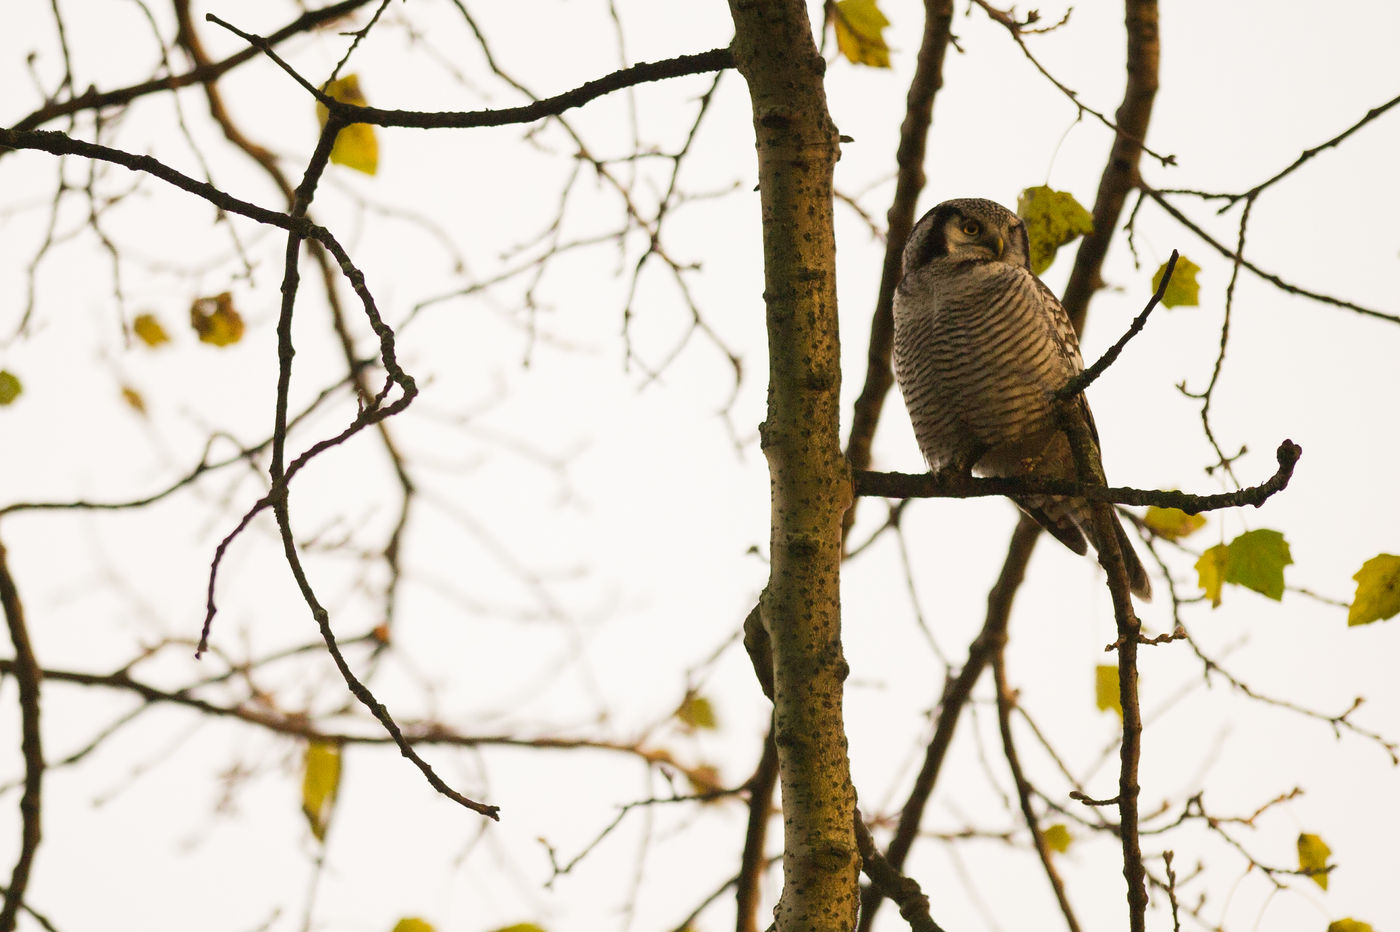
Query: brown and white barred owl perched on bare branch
{"type": "Point", "coordinates": [981, 348]}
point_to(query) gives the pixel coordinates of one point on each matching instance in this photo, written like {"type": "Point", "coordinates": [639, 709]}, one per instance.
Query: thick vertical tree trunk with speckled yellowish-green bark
{"type": "Point", "coordinates": [797, 148]}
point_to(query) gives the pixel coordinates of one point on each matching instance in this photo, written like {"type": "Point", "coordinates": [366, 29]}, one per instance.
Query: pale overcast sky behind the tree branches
{"type": "Point", "coordinates": [643, 502]}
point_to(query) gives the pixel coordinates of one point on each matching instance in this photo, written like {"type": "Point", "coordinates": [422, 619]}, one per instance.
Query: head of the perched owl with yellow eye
{"type": "Point", "coordinates": [968, 230]}
